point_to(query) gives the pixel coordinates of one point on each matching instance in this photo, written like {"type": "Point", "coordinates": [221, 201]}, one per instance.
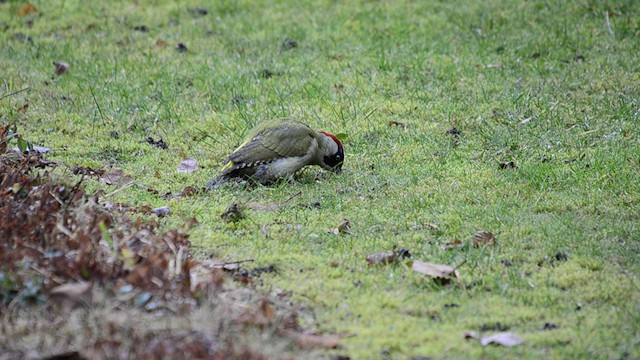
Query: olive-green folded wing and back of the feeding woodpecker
{"type": "Point", "coordinates": [270, 142]}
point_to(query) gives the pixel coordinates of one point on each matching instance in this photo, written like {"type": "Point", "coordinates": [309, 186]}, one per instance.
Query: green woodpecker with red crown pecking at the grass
{"type": "Point", "coordinates": [277, 149]}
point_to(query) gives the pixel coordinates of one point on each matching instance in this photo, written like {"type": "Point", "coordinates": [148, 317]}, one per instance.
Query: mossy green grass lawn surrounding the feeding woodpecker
{"type": "Point", "coordinates": [553, 86]}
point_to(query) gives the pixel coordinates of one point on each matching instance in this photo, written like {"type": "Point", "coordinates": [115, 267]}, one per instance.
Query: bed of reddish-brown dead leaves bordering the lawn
{"type": "Point", "coordinates": [150, 298]}
